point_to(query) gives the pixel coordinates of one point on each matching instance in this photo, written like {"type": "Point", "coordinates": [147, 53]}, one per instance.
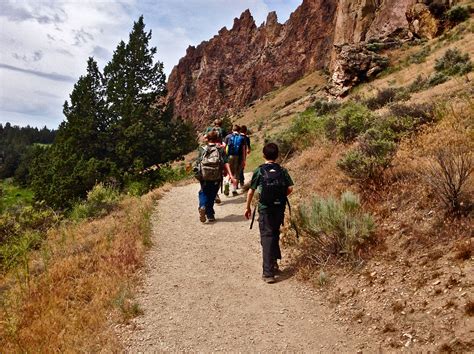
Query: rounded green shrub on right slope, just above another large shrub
{"type": "Point", "coordinates": [350, 121]}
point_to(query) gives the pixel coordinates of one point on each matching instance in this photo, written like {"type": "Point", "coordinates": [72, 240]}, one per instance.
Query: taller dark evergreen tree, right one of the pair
{"type": "Point", "coordinates": [136, 89]}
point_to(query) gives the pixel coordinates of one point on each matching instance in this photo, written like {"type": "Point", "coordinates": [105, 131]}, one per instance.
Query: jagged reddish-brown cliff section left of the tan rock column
{"type": "Point", "coordinates": [243, 63]}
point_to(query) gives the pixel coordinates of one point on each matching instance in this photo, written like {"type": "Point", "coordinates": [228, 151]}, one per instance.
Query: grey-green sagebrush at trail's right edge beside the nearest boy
{"type": "Point", "coordinates": [334, 228]}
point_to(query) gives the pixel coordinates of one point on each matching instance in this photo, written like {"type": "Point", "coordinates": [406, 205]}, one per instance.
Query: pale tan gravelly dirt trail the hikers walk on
{"type": "Point", "coordinates": [202, 290]}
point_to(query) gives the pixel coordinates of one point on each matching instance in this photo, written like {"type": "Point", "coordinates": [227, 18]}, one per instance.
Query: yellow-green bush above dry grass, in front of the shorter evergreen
{"type": "Point", "coordinates": [100, 201]}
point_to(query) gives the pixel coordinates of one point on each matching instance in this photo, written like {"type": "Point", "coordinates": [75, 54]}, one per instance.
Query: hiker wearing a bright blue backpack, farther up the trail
{"type": "Point", "coordinates": [236, 151]}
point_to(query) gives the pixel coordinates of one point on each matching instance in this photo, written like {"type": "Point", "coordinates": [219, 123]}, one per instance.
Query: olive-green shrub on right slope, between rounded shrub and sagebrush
{"type": "Point", "coordinates": [370, 159]}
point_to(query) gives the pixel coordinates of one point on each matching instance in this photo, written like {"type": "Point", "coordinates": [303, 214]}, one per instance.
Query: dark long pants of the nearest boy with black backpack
{"type": "Point", "coordinates": [269, 222]}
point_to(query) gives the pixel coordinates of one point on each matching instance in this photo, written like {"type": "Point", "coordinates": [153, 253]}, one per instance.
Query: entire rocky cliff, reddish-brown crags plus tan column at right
{"type": "Point", "coordinates": [239, 65]}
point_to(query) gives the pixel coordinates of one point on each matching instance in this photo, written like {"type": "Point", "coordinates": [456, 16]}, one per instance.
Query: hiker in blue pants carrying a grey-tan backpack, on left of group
{"type": "Point", "coordinates": [211, 163]}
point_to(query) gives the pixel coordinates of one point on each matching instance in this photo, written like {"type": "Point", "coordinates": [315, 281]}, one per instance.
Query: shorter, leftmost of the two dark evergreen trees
{"type": "Point", "coordinates": [78, 158]}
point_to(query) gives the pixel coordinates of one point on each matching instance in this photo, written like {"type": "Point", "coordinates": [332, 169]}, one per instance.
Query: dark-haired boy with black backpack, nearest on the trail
{"type": "Point", "coordinates": [274, 185]}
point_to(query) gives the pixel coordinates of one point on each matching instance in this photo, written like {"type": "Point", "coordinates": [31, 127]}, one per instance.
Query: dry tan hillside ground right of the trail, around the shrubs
{"type": "Point", "coordinates": [412, 286]}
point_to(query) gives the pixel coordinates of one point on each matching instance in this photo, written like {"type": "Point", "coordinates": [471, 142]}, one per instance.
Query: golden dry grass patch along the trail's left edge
{"type": "Point", "coordinates": [83, 281]}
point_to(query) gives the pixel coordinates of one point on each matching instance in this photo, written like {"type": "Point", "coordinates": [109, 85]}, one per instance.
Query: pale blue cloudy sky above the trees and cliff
{"type": "Point", "coordinates": [45, 44]}
